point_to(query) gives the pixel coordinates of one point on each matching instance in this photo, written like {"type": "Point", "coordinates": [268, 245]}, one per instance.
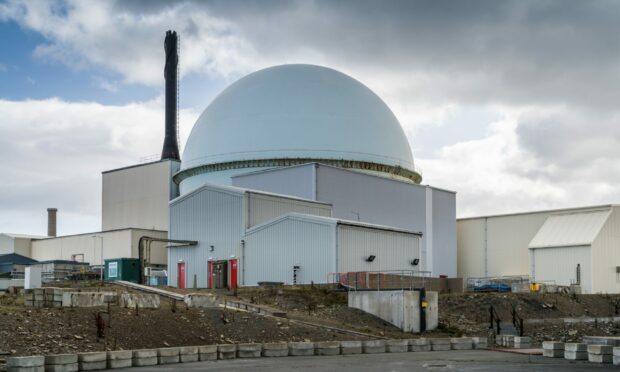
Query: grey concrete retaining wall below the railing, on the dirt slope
{"type": "Point", "coordinates": [400, 308]}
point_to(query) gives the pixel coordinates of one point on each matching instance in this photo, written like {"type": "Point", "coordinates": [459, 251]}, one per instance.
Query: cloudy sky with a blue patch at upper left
{"type": "Point", "coordinates": [513, 104]}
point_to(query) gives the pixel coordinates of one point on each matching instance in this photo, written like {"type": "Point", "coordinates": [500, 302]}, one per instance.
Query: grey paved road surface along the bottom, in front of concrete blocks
{"type": "Point", "coordinates": [475, 360]}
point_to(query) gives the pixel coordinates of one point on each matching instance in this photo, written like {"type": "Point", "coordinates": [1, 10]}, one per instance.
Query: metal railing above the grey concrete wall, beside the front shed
{"type": "Point", "coordinates": [380, 280]}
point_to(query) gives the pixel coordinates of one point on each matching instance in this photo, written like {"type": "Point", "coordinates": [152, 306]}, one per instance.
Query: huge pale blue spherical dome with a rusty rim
{"type": "Point", "coordinates": [295, 114]}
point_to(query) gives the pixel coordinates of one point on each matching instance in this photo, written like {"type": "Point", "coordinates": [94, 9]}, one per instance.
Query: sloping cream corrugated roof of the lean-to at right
{"type": "Point", "coordinates": [572, 229]}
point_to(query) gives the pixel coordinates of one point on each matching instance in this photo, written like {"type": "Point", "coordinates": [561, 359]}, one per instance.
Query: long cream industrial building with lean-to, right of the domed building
{"type": "Point", "coordinates": [577, 247]}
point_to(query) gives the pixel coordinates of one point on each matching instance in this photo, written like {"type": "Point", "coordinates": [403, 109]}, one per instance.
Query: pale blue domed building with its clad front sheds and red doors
{"type": "Point", "coordinates": [297, 173]}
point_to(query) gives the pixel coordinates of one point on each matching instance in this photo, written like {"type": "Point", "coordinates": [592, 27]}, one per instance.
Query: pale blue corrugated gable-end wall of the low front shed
{"type": "Point", "coordinates": [272, 251]}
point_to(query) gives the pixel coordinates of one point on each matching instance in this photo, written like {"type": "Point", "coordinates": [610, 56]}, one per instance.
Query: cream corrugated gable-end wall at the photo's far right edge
{"type": "Point", "coordinates": [606, 256]}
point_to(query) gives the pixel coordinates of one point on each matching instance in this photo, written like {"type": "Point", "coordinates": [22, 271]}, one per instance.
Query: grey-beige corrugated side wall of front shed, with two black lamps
{"type": "Point", "coordinates": [393, 250]}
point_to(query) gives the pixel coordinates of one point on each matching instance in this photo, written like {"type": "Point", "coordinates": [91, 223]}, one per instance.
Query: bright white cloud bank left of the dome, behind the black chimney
{"type": "Point", "coordinates": [57, 151]}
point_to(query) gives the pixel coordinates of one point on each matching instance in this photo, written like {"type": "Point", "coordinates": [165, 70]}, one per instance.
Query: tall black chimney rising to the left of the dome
{"type": "Point", "coordinates": [171, 144]}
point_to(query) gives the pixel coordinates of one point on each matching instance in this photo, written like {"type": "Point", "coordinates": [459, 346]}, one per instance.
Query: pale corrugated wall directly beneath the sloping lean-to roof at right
{"type": "Point", "coordinates": [560, 265]}
